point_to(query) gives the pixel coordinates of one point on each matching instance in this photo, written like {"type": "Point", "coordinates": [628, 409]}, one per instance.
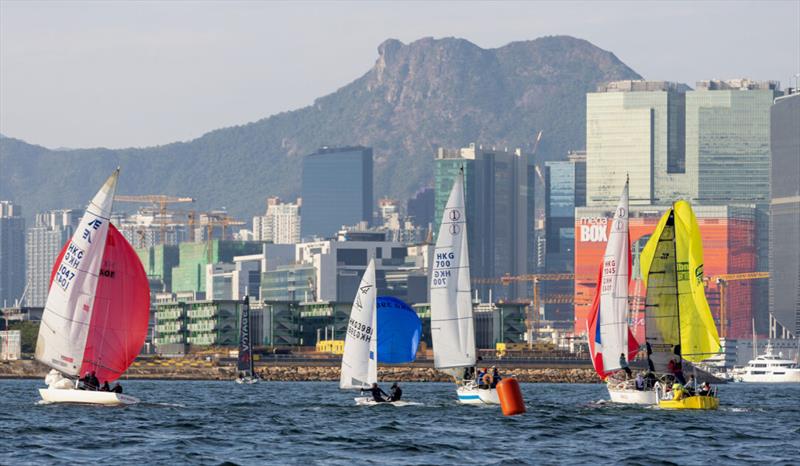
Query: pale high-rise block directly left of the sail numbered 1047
{"type": "Point", "coordinates": [44, 241]}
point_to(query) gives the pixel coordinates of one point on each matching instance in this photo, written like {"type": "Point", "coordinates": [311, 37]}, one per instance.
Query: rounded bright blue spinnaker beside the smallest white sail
{"type": "Point", "coordinates": [399, 331]}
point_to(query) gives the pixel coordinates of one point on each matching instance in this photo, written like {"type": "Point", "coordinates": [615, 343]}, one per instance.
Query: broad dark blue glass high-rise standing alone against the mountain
{"type": "Point", "coordinates": [336, 190]}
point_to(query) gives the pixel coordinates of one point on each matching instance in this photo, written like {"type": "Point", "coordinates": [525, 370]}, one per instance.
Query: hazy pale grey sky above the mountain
{"type": "Point", "coordinates": [120, 74]}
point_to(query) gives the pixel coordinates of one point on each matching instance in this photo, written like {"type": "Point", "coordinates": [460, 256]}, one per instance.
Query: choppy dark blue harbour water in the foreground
{"type": "Point", "coordinates": [315, 423]}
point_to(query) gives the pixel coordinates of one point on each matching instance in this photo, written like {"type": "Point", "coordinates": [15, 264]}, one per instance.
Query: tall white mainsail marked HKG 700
{"type": "Point", "coordinates": [452, 326]}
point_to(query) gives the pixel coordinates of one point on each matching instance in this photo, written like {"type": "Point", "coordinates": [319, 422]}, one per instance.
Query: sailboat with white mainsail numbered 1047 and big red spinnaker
{"type": "Point", "coordinates": [97, 311]}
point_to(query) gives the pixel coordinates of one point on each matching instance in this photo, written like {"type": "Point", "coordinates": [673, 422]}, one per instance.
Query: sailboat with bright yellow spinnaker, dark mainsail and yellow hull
{"type": "Point", "coordinates": [679, 324]}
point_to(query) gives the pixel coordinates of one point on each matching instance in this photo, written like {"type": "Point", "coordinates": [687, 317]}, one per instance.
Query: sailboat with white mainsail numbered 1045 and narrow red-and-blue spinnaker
{"type": "Point", "coordinates": [609, 334]}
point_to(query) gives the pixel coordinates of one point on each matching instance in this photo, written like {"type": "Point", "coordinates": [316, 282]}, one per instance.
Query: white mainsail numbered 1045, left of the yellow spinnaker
{"type": "Point", "coordinates": [614, 289]}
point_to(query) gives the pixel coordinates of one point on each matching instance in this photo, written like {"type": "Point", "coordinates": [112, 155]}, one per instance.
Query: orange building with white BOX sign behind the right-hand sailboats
{"type": "Point", "coordinates": [729, 246]}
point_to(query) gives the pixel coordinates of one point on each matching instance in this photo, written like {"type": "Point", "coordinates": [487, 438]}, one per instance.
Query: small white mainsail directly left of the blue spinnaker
{"type": "Point", "coordinates": [360, 358]}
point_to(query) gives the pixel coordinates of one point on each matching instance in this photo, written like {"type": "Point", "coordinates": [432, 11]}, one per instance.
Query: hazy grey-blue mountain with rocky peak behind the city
{"type": "Point", "coordinates": [447, 92]}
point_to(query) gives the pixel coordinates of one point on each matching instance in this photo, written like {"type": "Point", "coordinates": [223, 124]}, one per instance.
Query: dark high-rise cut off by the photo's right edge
{"type": "Point", "coordinates": [784, 265]}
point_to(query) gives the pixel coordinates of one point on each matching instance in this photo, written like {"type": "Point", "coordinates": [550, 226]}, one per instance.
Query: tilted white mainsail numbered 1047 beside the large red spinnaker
{"type": "Point", "coordinates": [68, 310]}
